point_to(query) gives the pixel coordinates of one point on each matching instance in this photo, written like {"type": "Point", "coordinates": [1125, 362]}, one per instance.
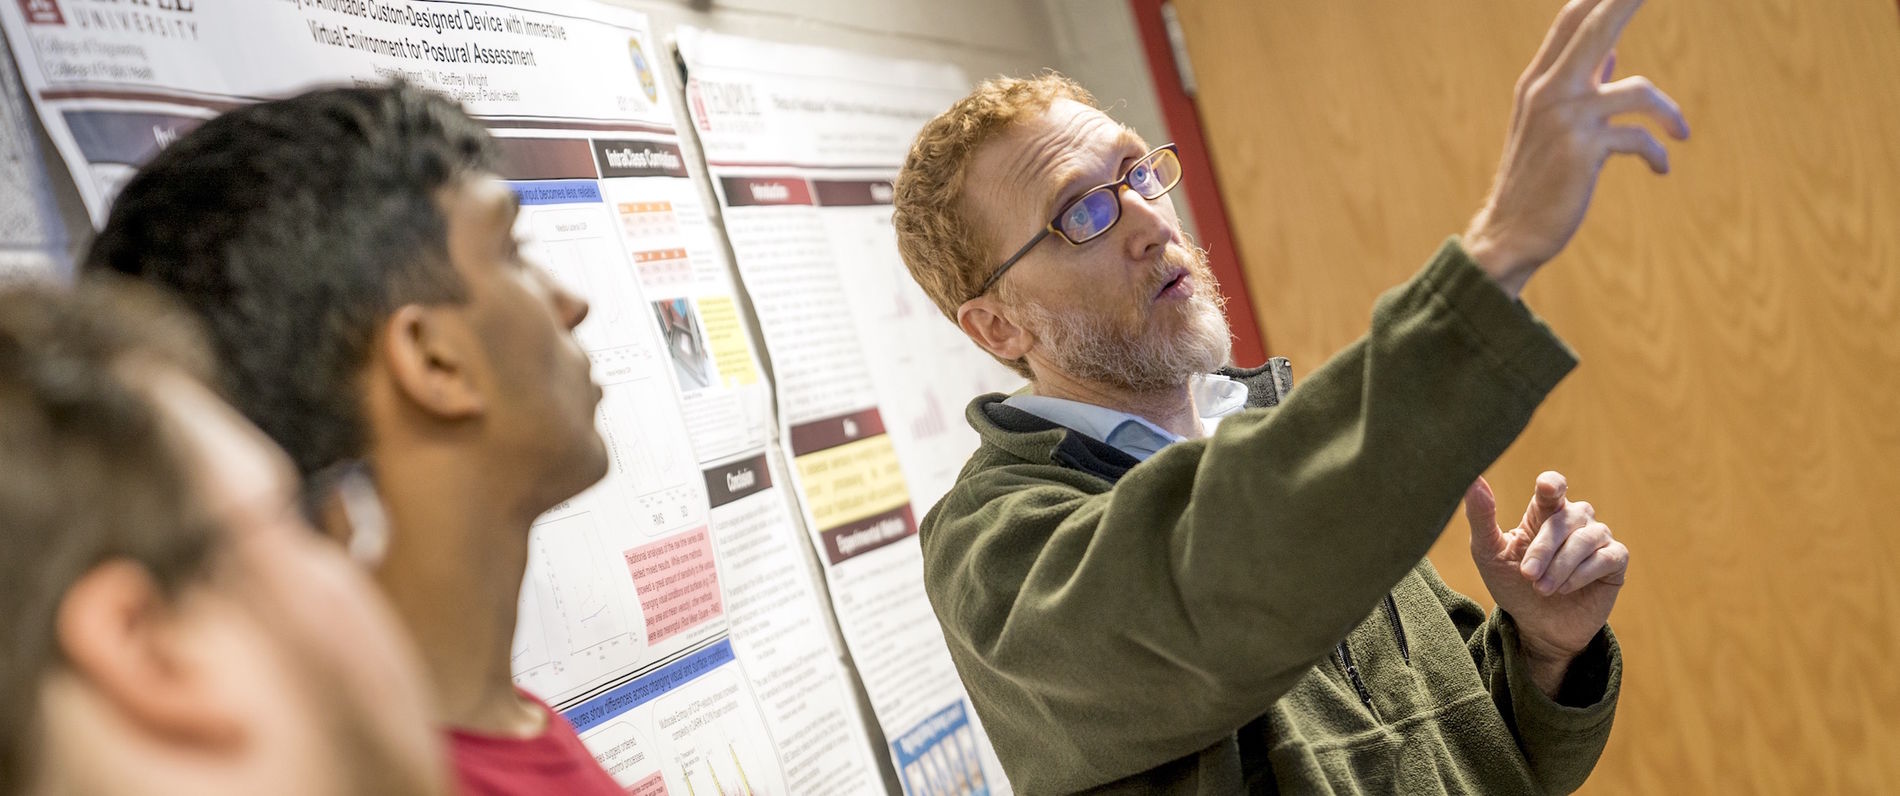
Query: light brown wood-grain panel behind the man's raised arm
{"type": "Point", "coordinates": [1738, 417]}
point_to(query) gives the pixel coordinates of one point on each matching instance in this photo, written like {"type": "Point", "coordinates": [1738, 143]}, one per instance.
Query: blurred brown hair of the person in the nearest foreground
{"type": "Point", "coordinates": [88, 474]}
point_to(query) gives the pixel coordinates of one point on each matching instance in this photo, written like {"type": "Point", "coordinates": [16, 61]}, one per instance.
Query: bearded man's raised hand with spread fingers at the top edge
{"type": "Point", "coordinates": [1563, 132]}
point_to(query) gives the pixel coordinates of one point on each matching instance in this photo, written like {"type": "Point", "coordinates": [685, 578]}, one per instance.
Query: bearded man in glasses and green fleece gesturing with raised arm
{"type": "Point", "coordinates": [1168, 577]}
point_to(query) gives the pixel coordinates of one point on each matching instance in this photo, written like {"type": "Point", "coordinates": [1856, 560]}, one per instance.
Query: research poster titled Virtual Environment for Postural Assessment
{"type": "Point", "coordinates": [670, 611]}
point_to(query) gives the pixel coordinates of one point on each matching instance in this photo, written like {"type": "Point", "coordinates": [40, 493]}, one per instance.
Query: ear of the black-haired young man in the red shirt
{"type": "Point", "coordinates": [430, 358]}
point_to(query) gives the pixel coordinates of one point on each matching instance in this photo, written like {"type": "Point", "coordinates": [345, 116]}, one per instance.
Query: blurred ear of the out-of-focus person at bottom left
{"type": "Point", "coordinates": [126, 641]}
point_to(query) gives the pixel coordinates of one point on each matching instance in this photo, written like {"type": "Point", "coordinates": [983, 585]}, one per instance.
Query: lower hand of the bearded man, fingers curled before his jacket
{"type": "Point", "coordinates": [1557, 573]}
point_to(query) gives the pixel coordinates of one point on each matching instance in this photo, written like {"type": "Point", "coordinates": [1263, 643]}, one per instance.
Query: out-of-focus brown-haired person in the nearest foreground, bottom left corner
{"type": "Point", "coordinates": [170, 622]}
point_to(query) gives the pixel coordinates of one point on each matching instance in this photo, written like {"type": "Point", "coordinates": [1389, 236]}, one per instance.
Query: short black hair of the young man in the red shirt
{"type": "Point", "coordinates": [295, 229]}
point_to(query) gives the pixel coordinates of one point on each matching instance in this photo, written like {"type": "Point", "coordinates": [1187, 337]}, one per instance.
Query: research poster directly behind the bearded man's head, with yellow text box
{"type": "Point", "coordinates": [803, 147]}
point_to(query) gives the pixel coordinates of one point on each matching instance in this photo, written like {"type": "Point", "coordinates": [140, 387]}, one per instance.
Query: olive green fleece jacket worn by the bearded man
{"type": "Point", "coordinates": [1251, 613]}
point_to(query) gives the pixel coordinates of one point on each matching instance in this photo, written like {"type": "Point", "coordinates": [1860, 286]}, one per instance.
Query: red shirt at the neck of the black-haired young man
{"type": "Point", "coordinates": [554, 763]}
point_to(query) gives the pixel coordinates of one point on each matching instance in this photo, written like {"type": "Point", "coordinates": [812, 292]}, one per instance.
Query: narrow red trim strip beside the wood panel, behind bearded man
{"type": "Point", "coordinates": [1202, 185]}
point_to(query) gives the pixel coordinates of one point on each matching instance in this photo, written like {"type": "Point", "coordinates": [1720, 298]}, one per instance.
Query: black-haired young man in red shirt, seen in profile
{"type": "Point", "coordinates": [354, 257]}
